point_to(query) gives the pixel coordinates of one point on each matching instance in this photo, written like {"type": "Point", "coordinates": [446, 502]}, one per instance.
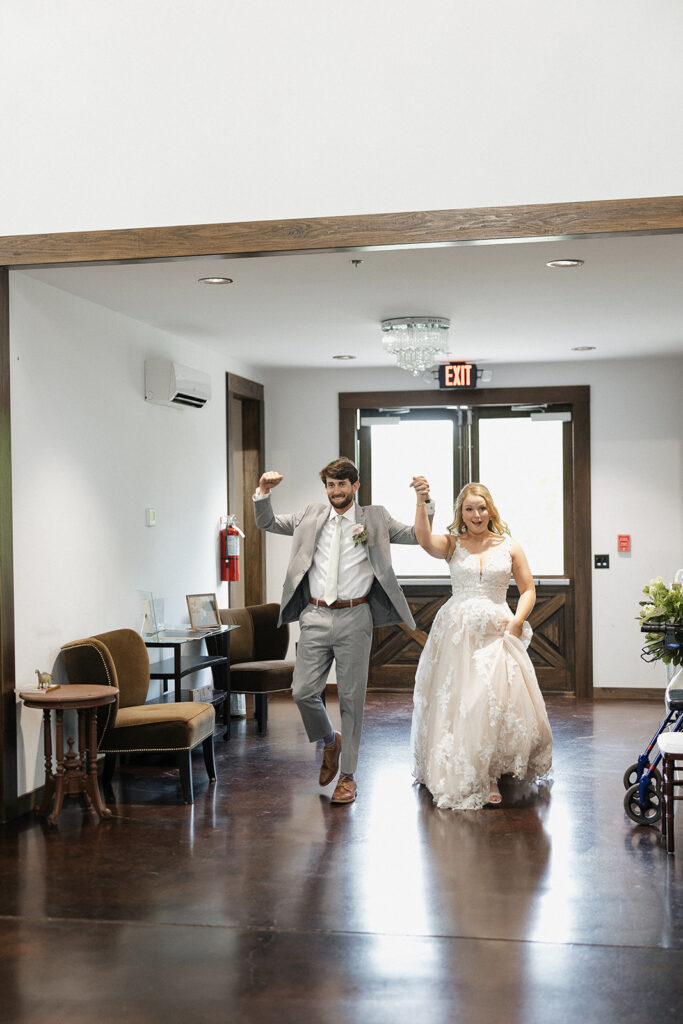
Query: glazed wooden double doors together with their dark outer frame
{"type": "Point", "coordinates": [530, 447]}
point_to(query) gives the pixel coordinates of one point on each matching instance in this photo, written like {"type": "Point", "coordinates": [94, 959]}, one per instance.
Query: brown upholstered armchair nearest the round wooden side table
{"type": "Point", "coordinates": [120, 659]}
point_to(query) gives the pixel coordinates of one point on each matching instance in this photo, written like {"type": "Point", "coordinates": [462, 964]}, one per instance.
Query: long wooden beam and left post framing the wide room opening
{"type": "Point", "coordinates": [542, 223]}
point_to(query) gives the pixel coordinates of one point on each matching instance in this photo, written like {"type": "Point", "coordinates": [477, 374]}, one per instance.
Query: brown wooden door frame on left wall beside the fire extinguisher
{"type": "Point", "coordinates": [249, 397]}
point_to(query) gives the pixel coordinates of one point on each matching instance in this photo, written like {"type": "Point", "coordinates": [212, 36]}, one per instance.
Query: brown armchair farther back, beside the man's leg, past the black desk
{"type": "Point", "coordinates": [258, 653]}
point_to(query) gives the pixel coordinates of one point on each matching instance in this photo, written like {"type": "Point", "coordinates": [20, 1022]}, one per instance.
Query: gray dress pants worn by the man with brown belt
{"type": "Point", "coordinates": [345, 635]}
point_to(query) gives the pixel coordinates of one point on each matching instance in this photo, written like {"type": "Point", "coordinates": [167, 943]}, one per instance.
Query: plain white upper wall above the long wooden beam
{"type": "Point", "coordinates": [137, 114]}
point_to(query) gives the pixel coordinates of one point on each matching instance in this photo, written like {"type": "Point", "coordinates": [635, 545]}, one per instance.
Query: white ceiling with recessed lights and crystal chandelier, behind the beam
{"type": "Point", "coordinates": [505, 305]}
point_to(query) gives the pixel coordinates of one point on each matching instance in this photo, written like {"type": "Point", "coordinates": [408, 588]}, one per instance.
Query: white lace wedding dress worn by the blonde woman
{"type": "Point", "coordinates": [479, 711]}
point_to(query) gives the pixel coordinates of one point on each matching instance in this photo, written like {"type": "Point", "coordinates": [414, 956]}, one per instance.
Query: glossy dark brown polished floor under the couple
{"type": "Point", "coordinates": [266, 904]}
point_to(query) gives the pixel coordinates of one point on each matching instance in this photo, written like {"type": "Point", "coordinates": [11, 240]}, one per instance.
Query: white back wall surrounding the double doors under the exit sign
{"type": "Point", "coordinates": [636, 479]}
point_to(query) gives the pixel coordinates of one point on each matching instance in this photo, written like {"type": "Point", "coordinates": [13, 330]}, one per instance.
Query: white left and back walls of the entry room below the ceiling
{"type": "Point", "coordinates": [90, 455]}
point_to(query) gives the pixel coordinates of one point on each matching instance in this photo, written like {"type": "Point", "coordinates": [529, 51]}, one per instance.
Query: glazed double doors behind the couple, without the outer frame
{"type": "Point", "coordinates": [525, 456]}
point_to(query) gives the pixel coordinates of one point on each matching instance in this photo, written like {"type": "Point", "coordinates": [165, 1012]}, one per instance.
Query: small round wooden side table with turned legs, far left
{"type": "Point", "coordinates": [76, 773]}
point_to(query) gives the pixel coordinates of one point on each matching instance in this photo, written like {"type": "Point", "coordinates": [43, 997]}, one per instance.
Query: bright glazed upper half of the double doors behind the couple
{"type": "Point", "coordinates": [520, 456]}
